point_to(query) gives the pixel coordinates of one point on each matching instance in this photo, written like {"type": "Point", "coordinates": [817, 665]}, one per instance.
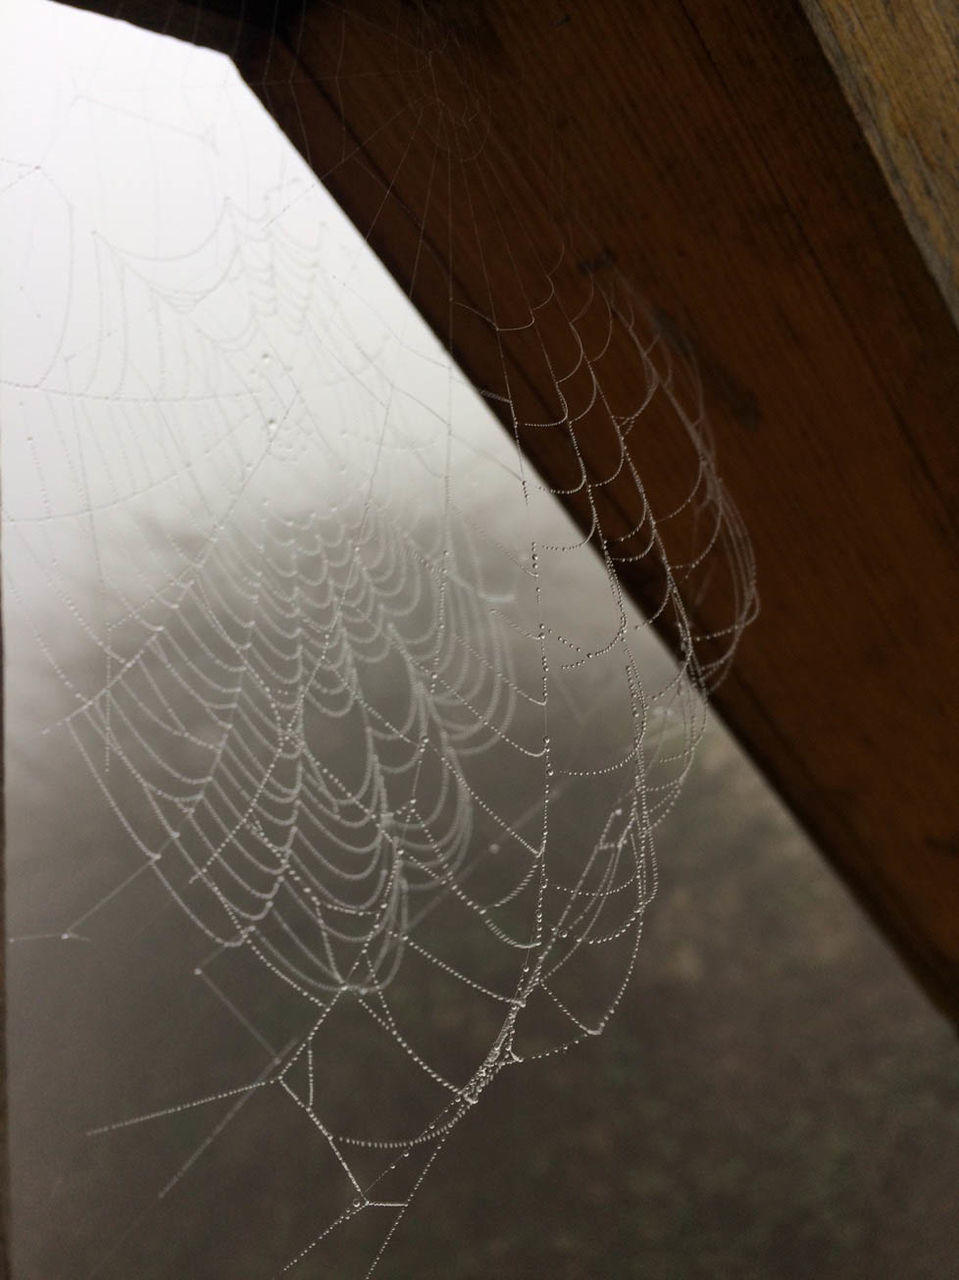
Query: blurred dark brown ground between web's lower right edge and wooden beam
{"type": "Point", "coordinates": [775, 1100]}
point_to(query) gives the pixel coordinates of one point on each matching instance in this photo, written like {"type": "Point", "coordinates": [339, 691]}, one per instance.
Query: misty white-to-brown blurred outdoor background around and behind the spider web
{"type": "Point", "coordinates": [774, 1098]}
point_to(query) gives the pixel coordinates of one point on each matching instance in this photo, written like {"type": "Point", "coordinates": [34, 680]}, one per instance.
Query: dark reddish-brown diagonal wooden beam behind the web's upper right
{"type": "Point", "coordinates": [709, 152]}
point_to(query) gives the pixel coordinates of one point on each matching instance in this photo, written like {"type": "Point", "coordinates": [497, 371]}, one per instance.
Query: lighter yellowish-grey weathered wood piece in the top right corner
{"type": "Point", "coordinates": [899, 67]}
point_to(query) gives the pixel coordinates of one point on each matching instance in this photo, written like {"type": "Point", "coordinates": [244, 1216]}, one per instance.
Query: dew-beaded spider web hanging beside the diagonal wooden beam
{"type": "Point", "coordinates": [302, 644]}
